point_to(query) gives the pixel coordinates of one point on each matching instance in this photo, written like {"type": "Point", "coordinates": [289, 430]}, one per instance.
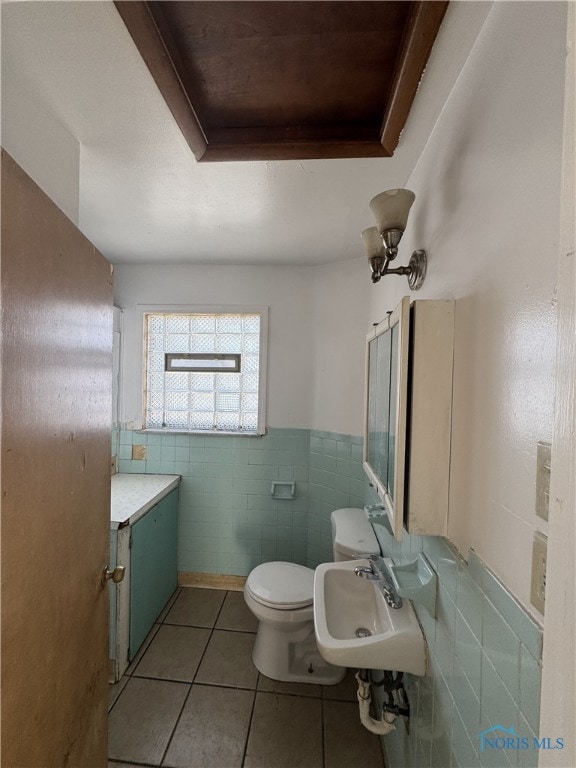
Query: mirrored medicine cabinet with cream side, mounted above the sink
{"type": "Point", "coordinates": [408, 414]}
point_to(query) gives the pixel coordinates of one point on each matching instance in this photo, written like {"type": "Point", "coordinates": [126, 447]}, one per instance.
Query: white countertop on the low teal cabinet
{"type": "Point", "coordinates": [133, 495]}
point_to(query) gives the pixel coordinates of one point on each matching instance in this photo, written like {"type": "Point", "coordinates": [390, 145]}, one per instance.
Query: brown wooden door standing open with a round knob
{"type": "Point", "coordinates": [55, 464]}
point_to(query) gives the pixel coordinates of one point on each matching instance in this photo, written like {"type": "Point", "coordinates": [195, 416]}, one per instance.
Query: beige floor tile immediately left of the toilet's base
{"type": "Point", "coordinates": [228, 660]}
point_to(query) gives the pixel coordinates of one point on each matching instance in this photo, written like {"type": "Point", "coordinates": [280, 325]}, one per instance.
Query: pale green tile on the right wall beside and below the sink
{"type": "Point", "coordinates": [485, 659]}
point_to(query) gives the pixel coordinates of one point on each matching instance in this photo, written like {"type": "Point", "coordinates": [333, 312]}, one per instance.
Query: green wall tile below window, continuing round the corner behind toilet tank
{"type": "Point", "coordinates": [228, 522]}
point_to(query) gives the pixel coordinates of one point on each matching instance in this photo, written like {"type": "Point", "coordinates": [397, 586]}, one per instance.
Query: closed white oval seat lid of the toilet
{"type": "Point", "coordinates": [280, 585]}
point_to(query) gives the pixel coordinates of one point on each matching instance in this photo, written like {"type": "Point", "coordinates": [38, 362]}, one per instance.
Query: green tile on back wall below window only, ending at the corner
{"type": "Point", "coordinates": [228, 522]}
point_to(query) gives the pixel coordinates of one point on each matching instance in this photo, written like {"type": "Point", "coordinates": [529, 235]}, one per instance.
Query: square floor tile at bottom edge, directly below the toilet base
{"type": "Point", "coordinates": [286, 732]}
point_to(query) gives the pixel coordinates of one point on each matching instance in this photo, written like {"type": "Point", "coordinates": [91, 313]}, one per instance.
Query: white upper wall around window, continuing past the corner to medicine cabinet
{"type": "Point", "coordinates": [317, 325]}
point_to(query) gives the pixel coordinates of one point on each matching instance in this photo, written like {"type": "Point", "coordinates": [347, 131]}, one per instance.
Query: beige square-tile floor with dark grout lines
{"type": "Point", "coordinates": [193, 699]}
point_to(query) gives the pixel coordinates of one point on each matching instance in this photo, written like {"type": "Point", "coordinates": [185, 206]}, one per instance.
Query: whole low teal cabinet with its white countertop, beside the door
{"type": "Point", "coordinates": [143, 538]}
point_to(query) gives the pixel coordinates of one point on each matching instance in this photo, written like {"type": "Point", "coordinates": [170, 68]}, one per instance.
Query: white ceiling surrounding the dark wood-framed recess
{"type": "Point", "coordinates": [143, 198]}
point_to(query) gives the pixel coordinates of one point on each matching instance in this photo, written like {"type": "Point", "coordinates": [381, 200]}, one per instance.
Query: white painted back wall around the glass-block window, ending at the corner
{"type": "Point", "coordinates": [287, 291]}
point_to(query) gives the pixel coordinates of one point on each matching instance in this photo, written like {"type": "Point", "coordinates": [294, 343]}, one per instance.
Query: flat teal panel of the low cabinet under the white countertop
{"type": "Point", "coordinates": [153, 575]}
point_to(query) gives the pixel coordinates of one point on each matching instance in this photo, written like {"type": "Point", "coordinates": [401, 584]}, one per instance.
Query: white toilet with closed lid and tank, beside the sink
{"type": "Point", "coordinates": [280, 596]}
